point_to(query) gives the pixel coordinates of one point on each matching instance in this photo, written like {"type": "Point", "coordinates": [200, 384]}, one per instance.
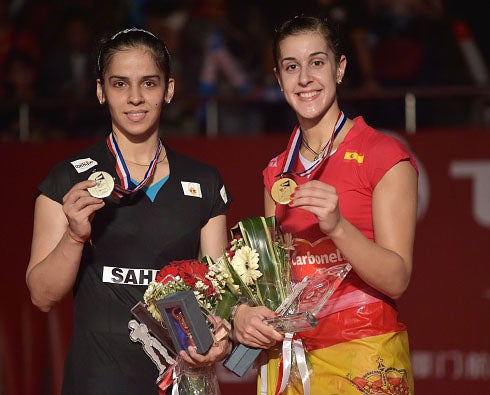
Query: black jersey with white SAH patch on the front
{"type": "Point", "coordinates": [131, 240]}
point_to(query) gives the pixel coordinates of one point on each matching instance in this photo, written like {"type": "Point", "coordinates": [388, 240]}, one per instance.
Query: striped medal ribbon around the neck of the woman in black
{"type": "Point", "coordinates": [127, 186]}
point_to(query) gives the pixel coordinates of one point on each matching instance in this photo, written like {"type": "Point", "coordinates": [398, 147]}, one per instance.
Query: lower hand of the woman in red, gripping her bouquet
{"type": "Point", "coordinates": [249, 327]}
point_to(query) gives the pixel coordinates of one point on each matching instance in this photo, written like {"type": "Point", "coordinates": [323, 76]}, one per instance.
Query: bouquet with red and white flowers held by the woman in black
{"type": "Point", "coordinates": [208, 287]}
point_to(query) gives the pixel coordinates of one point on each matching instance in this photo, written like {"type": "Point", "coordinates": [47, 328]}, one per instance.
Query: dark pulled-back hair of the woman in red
{"type": "Point", "coordinates": [304, 24]}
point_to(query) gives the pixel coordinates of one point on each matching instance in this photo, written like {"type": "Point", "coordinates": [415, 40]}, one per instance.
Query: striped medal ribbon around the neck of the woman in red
{"type": "Point", "coordinates": [295, 144]}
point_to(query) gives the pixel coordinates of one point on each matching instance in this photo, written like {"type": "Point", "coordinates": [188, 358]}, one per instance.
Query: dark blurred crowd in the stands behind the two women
{"type": "Point", "coordinates": [434, 51]}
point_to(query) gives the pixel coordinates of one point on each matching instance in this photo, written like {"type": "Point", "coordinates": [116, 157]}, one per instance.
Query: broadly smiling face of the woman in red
{"type": "Point", "coordinates": [308, 73]}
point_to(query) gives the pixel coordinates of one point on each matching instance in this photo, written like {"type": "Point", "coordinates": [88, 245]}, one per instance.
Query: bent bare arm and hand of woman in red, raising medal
{"type": "Point", "coordinates": [386, 264]}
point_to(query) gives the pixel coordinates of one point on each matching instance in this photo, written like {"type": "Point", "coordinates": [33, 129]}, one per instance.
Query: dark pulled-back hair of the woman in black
{"type": "Point", "coordinates": [132, 38]}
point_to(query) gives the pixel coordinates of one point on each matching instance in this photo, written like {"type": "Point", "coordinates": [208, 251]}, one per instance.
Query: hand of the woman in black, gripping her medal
{"type": "Point", "coordinates": [79, 208]}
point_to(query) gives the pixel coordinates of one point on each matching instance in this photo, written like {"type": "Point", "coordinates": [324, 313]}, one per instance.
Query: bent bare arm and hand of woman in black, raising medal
{"type": "Point", "coordinates": [55, 255]}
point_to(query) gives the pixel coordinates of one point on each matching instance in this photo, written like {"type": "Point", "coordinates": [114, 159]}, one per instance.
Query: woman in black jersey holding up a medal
{"type": "Point", "coordinates": [107, 219]}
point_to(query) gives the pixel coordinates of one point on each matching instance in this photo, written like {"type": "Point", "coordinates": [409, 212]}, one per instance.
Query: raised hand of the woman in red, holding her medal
{"type": "Point", "coordinates": [320, 199]}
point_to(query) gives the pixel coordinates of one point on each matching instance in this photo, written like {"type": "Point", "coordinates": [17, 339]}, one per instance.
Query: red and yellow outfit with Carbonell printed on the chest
{"type": "Point", "coordinates": [358, 330]}
